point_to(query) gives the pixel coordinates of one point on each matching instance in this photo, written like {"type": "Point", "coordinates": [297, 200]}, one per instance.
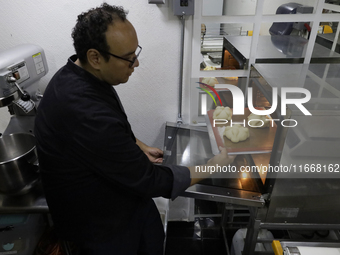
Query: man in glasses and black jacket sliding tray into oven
{"type": "Point", "coordinates": [98, 178]}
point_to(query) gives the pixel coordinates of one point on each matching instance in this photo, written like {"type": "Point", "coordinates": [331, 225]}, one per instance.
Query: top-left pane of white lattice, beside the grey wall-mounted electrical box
{"type": "Point", "coordinates": [228, 7]}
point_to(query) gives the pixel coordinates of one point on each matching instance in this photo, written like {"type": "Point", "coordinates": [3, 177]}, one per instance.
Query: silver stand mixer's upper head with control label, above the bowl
{"type": "Point", "coordinates": [20, 68]}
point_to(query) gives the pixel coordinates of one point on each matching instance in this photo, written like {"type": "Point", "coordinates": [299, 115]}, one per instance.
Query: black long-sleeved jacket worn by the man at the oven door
{"type": "Point", "coordinates": [95, 177]}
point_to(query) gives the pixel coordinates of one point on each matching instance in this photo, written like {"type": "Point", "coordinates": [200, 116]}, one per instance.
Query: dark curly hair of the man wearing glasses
{"type": "Point", "coordinates": [89, 31]}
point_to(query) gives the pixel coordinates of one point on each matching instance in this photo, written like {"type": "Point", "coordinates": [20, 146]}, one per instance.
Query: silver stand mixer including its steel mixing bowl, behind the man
{"type": "Point", "coordinates": [21, 67]}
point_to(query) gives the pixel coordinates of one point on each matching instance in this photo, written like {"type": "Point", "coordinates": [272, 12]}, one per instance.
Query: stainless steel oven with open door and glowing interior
{"type": "Point", "coordinates": [302, 191]}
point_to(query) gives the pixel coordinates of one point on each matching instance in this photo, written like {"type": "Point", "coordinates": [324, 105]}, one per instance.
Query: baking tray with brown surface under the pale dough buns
{"type": "Point", "coordinates": [260, 140]}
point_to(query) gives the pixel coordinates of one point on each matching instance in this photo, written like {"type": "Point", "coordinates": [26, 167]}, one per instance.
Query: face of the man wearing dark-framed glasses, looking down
{"type": "Point", "coordinates": [123, 42]}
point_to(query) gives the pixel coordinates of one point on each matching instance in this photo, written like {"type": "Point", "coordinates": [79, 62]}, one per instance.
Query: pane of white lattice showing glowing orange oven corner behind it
{"type": "Point", "coordinates": [217, 45]}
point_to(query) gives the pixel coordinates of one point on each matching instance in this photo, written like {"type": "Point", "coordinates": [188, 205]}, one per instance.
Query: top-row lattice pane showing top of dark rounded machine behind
{"type": "Point", "coordinates": [282, 7]}
